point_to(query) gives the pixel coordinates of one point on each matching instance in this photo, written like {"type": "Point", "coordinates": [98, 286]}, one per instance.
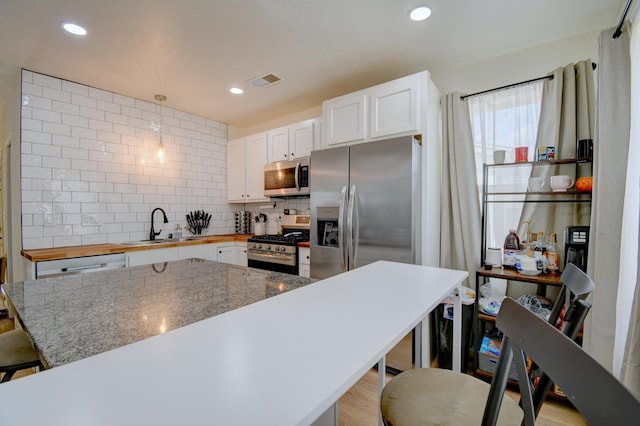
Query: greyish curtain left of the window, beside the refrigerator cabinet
{"type": "Point", "coordinates": [460, 207]}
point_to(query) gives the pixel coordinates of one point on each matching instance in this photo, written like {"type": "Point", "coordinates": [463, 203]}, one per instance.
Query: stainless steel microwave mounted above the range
{"type": "Point", "coordinates": [287, 178]}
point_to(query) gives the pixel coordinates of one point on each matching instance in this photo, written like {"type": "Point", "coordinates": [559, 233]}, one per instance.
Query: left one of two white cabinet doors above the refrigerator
{"type": "Point", "coordinates": [345, 118]}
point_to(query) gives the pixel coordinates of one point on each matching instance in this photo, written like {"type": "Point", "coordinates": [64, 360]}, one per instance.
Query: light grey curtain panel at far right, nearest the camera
{"type": "Point", "coordinates": [611, 149]}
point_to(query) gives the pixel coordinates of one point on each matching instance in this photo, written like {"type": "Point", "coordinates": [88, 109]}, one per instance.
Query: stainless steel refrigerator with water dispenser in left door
{"type": "Point", "coordinates": [365, 206]}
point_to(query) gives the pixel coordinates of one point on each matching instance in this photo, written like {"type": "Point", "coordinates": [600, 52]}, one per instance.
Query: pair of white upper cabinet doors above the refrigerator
{"type": "Point", "coordinates": [395, 108]}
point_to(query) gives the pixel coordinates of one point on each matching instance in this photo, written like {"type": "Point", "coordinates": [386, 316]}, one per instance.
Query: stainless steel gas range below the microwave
{"type": "Point", "coordinates": [279, 252]}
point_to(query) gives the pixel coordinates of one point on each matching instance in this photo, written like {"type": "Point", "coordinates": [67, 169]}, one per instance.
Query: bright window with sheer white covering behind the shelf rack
{"type": "Point", "coordinates": [504, 120]}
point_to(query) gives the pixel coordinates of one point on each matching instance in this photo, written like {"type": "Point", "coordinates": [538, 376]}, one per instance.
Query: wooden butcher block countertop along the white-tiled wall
{"type": "Point", "coordinates": [40, 255]}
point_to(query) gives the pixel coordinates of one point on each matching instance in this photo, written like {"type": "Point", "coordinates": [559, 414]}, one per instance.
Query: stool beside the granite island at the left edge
{"type": "Point", "coordinates": [16, 353]}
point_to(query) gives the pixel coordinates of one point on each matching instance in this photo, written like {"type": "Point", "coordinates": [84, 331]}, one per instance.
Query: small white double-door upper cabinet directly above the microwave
{"type": "Point", "coordinates": [291, 142]}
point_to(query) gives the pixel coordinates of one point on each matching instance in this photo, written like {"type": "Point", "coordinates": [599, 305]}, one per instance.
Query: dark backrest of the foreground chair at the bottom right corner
{"type": "Point", "coordinates": [595, 392]}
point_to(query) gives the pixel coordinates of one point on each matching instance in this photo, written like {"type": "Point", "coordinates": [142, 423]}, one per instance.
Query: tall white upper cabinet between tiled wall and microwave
{"type": "Point", "coordinates": [245, 169]}
